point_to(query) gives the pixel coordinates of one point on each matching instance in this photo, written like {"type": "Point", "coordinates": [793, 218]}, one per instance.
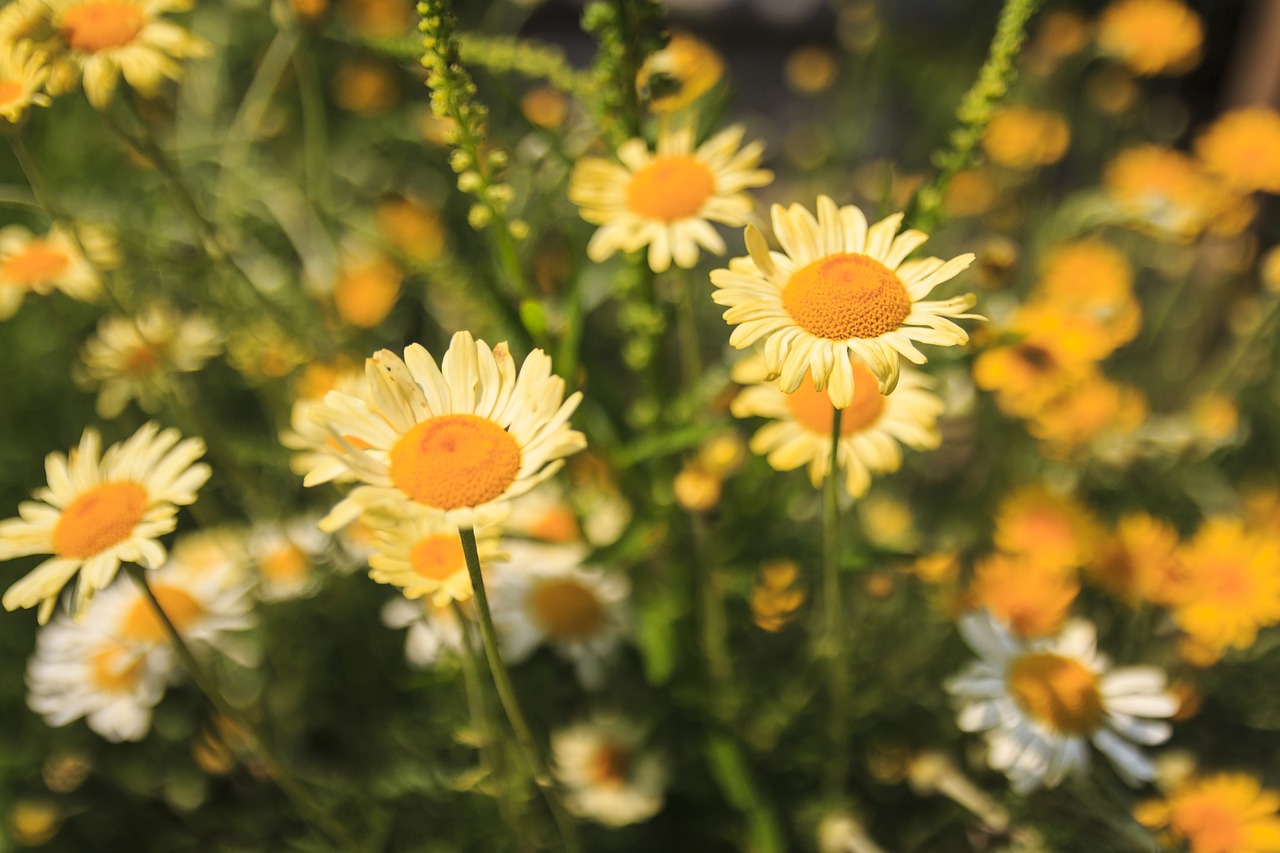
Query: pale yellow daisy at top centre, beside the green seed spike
{"type": "Point", "coordinates": [669, 199]}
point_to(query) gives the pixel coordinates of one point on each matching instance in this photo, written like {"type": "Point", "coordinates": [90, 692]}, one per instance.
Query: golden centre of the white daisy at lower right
{"type": "Point", "coordinates": [1057, 692]}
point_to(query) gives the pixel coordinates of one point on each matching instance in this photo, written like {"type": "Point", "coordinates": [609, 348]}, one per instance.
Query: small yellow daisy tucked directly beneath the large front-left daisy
{"type": "Point", "coordinates": [424, 556]}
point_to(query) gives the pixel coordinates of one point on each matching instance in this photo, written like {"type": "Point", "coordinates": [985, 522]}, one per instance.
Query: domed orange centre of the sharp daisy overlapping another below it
{"type": "Point", "coordinates": [847, 297]}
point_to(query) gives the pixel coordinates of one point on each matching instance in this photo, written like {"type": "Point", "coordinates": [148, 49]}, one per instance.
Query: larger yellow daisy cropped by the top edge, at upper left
{"type": "Point", "coordinates": [112, 38]}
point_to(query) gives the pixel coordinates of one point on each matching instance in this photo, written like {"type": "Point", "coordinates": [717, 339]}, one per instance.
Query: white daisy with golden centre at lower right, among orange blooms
{"type": "Point", "coordinates": [1040, 703]}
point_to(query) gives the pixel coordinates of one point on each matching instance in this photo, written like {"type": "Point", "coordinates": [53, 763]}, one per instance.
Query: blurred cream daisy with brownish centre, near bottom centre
{"type": "Point", "coordinates": [607, 776]}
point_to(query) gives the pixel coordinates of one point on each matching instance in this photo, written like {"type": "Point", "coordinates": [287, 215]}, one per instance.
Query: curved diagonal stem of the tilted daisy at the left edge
{"type": "Point", "coordinates": [321, 816]}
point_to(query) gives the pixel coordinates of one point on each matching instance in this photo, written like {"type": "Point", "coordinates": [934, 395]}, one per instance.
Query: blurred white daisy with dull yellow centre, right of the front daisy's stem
{"type": "Point", "coordinates": [543, 595]}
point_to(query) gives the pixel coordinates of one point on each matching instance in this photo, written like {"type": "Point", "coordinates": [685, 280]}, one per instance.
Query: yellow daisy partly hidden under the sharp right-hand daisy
{"type": "Point", "coordinates": [871, 428]}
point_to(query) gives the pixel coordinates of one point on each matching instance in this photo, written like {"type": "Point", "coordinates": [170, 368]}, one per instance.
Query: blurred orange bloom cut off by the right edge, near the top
{"type": "Point", "coordinates": [1244, 148]}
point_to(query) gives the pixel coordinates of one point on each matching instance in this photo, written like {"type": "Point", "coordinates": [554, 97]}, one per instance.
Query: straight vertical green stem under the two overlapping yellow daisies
{"type": "Point", "coordinates": [834, 642]}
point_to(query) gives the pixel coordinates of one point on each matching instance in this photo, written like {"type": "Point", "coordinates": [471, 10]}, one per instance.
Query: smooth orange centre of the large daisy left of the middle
{"type": "Point", "coordinates": [455, 462]}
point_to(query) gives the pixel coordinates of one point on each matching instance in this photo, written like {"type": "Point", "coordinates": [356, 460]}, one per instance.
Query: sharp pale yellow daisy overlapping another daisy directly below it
{"type": "Point", "coordinates": [840, 289]}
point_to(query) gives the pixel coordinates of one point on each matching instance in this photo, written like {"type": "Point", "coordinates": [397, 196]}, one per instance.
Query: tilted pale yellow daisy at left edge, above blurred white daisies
{"type": "Point", "coordinates": [102, 509]}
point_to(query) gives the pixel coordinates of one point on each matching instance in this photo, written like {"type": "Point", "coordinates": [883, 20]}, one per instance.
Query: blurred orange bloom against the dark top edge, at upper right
{"type": "Point", "coordinates": [1151, 37]}
